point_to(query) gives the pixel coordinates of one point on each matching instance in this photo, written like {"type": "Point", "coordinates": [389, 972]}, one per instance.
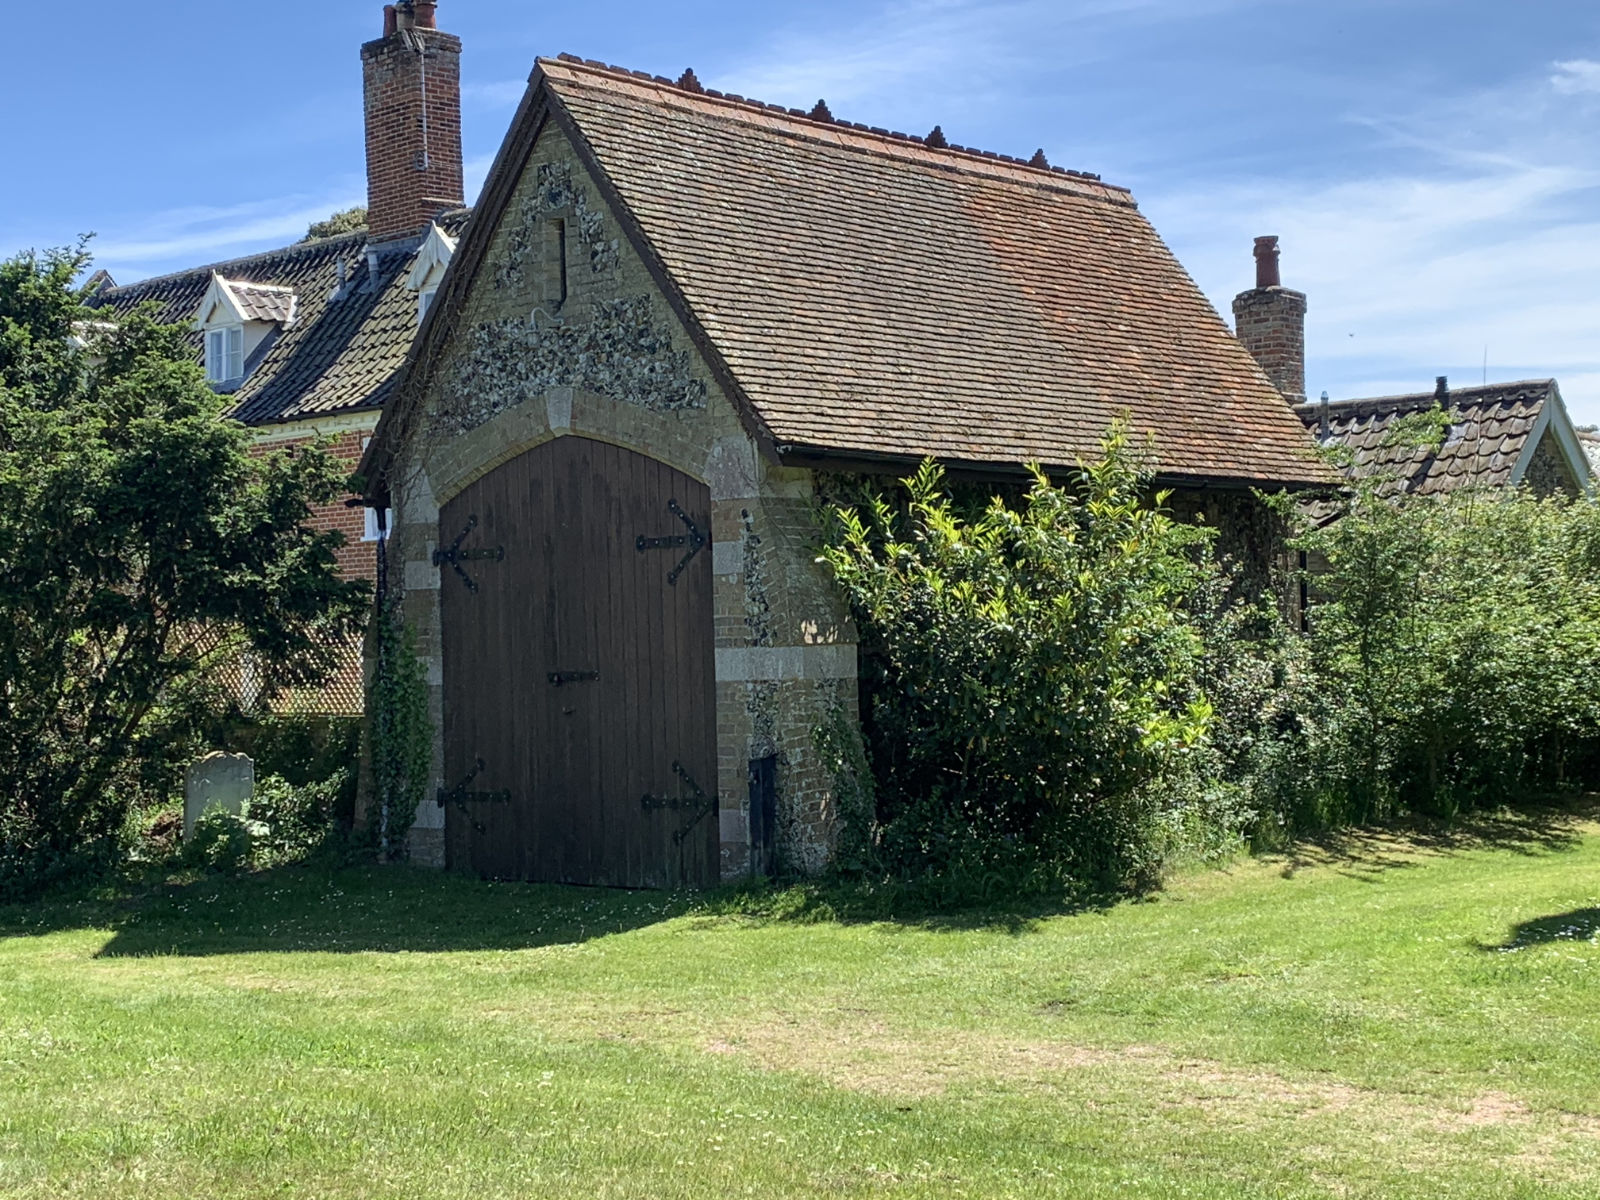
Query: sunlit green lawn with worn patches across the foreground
{"type": "Point", "coordinates": [1380, 1018]}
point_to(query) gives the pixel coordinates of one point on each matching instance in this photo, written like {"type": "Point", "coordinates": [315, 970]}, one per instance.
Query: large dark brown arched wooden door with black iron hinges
{"type": "Point", "coordinates": [580, 690]}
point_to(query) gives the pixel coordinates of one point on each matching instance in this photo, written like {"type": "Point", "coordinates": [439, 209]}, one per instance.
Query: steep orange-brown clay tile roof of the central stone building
{"type": "Point", "coordinates": [881, 297]}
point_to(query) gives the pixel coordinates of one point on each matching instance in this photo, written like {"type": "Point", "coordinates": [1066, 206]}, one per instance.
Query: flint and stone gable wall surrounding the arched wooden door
{"type": "Point", "coordinates": [566, 334]}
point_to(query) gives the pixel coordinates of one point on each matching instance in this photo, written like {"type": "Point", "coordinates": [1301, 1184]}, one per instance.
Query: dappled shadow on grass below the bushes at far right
{"type": "Point", "coordinates": [1370, 852]}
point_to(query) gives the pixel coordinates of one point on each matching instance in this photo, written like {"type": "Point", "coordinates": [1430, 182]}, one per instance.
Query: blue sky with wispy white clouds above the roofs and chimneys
{"type": "Point", "coordinates": [1431, 166]}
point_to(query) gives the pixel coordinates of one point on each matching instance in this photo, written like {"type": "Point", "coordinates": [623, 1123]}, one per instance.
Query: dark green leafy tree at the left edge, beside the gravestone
{"type": "Point", "coordinates": [142, 545]}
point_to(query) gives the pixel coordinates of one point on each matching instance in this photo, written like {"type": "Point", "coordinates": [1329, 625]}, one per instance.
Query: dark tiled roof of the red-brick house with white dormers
{"type": "Point", "coordinates": [345, 346]}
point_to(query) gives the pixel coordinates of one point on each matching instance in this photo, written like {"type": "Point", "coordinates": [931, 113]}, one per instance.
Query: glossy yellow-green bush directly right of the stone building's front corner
{"type": "Point", "coordinates": [1031, 673]}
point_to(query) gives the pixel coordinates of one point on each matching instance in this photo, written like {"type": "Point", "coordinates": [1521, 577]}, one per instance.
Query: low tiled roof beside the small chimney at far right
{"type": "Point", "coordinates": [1490, 431]}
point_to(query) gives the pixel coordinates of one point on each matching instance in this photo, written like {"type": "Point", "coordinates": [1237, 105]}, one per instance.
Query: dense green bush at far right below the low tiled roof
{"type": "Point", "coordinates": [1454, 655]}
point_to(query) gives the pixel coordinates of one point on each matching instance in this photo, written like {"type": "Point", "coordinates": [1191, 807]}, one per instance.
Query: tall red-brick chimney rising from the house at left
{"type": "Point", "coordinates": [414, 122]}
